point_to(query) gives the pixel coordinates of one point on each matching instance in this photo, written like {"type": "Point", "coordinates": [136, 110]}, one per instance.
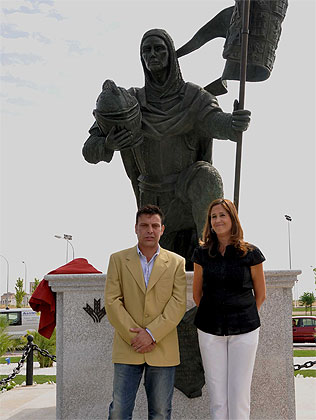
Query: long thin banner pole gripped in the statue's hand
{"type": "Point", "coordinates": [242, 86]}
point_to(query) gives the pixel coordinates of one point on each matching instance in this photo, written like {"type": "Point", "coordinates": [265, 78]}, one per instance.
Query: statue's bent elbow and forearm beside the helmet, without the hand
{"type": "Point", "coordinates": [94, 150]}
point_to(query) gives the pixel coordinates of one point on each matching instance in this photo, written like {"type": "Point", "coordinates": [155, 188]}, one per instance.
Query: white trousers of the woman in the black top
{"type": "Point", "coordinates": [228, 363]}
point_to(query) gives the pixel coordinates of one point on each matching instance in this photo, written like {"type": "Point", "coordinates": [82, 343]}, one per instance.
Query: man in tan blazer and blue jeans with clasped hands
{"type": "Point", "coordinates": [145, 299]}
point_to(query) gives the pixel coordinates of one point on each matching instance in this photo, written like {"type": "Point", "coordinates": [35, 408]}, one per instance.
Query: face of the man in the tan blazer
{"type": "Point", "coordinates": [149, 230]}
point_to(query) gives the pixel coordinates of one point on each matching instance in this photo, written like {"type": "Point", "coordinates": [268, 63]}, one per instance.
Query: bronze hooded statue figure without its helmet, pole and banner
{"type": "Point", "coordinates": [172, 166]}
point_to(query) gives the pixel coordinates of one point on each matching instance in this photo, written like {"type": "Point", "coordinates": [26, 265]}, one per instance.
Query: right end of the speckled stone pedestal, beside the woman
{"type": "Point", "coordinates": [272, 391]}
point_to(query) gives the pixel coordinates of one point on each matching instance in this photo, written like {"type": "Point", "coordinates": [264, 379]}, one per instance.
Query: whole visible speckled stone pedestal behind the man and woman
{"type": "Point", "coordinates": [84, 343]}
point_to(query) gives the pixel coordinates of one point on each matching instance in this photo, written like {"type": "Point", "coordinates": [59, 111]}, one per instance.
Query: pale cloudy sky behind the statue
{"type": "Point", "coordinates": [56, 55]}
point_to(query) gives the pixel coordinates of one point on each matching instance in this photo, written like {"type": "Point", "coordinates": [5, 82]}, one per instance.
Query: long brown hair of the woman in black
{"type": "Point", "coordinates": [209, 237]}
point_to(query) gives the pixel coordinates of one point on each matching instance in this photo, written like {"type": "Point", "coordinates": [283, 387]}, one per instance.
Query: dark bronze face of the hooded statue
{"type": "Point", "coordinates": [155, 53]}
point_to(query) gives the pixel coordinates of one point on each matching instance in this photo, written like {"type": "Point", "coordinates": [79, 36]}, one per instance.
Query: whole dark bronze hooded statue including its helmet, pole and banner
{"type": "Point", "coordinates": [165, 130]}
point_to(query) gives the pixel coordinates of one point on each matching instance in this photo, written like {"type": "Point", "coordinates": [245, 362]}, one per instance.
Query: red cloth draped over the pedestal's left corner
{"type": "Point", "coordinates": [43, 300]}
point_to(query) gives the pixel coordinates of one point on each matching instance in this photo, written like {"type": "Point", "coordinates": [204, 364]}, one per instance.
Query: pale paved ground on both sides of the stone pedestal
{"type": "Point", "coordinates": [38, 402]}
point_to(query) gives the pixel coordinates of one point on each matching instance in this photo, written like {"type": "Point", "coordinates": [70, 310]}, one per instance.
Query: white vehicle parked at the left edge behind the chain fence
{"type": "Point", "coordinates": [20, 321]}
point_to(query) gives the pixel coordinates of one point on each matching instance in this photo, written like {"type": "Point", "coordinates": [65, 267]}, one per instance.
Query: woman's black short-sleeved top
{"type": "Point", "coordinates": [228, 305]}
